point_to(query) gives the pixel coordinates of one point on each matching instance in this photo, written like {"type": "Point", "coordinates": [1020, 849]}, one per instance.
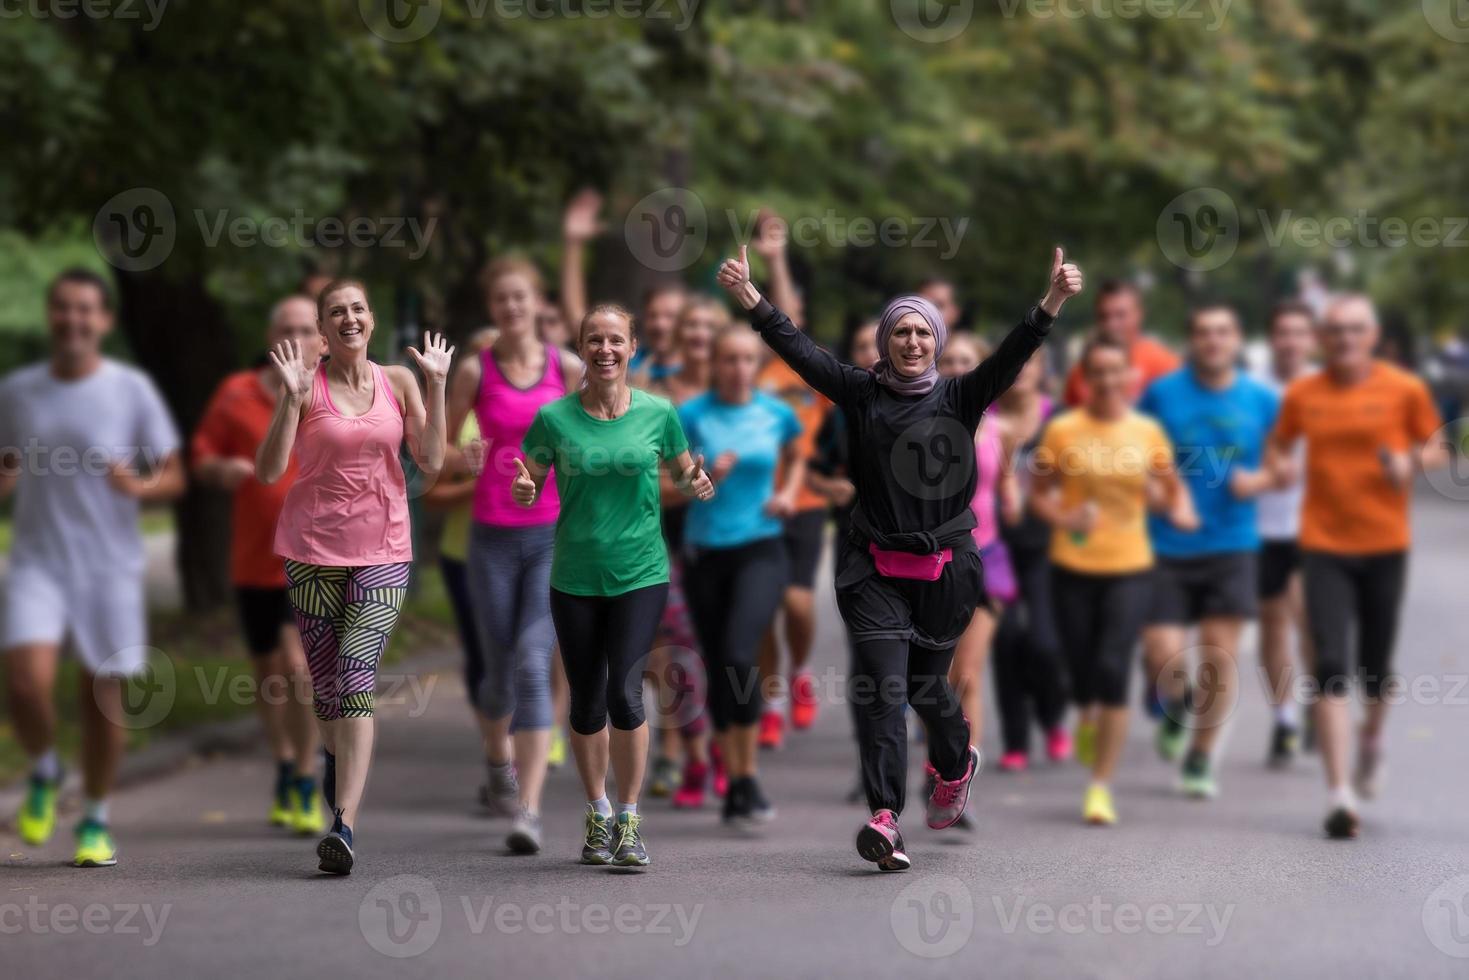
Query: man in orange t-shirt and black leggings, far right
{"type": "Point", "coordinates": [1368, 427]}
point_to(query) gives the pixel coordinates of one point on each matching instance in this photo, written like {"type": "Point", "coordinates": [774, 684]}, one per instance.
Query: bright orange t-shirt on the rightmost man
{"type": "Point", "coordinates": [1351, 505]}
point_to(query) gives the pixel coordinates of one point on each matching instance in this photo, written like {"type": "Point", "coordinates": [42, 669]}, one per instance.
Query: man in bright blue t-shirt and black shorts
{"type": "Point", "coordinates": [1219, 421]}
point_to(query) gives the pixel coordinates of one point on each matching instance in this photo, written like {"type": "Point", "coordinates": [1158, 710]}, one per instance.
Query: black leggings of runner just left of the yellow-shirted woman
{"type": "Point", "coordinates": [1029, 665]}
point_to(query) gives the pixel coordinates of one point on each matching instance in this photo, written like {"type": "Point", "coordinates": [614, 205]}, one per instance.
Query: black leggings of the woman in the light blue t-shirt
{"type": "Point", "coordinates": [734, 596]}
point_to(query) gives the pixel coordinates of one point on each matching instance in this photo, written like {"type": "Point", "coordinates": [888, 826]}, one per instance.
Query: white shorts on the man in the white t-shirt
{"type": "Point", "coordinates": [104, 618]}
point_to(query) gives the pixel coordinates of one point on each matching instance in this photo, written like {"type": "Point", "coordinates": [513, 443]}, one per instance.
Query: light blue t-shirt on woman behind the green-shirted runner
{"type": "Point", "coordinates": [756, 433]}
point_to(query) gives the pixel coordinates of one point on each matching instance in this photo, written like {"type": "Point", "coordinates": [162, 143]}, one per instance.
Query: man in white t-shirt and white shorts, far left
{"type": "Point", "coordinates": [84, 443]}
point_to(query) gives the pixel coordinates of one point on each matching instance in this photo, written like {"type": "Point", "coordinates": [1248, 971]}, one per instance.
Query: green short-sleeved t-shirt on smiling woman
{"type": "Point", "coordinates": [609, 538]}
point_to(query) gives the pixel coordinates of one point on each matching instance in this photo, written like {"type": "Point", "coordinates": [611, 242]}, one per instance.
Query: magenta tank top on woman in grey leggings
{"type": "Point", "coordinates": [505, 415]}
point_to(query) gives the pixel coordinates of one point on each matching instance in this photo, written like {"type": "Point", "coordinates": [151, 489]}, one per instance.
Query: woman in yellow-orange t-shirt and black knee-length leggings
{"type": "Point", "coordinates": [1100, 471]}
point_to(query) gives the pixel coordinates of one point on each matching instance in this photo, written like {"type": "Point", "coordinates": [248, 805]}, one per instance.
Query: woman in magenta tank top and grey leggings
{"type": "Point", "coordinates": [509, 566]}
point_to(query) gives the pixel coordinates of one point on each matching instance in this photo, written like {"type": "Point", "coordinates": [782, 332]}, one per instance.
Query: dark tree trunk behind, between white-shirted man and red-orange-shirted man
{"type": "Point", "coordinates": [180, 336]}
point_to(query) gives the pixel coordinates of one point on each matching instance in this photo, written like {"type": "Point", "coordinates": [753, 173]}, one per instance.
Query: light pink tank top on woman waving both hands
{"type": "Point", "coordinates": [350, 503]}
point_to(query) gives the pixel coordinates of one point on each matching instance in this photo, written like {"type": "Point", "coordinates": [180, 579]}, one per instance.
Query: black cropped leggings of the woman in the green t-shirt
{"type": "Point", "coordinates": [604, 646]}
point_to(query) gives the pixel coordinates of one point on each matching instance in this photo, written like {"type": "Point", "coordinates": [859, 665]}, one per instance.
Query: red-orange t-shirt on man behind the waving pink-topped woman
{"type": "Point", "coordinates": [234, 427]}
